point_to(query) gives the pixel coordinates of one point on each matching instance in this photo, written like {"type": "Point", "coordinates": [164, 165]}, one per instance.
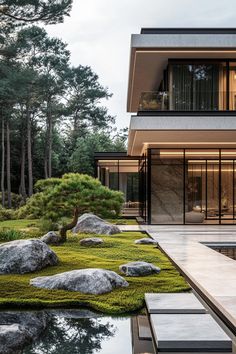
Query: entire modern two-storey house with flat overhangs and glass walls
{"type": "Point", "coordinates": [180, 167]}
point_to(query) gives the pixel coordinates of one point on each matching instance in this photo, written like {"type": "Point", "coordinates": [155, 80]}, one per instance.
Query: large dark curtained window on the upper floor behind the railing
{"type": "Point", "coordinates": [197, 86]}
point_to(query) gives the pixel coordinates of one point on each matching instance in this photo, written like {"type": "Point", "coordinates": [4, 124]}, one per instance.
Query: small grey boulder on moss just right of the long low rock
{"type": "Point", "coordinates": [137, 269]}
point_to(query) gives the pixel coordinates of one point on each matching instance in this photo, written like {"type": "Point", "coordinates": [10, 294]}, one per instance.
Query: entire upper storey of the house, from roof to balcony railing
{"type": "Point", "coordinates": [183, 70]}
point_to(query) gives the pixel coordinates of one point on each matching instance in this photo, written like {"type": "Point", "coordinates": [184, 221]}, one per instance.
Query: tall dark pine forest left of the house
{"type": "Point", "coordinates": [53, 115]}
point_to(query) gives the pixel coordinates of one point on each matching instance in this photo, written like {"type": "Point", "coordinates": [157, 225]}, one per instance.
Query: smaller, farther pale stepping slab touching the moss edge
{"type": "Point", "coordinates": [173, 303]}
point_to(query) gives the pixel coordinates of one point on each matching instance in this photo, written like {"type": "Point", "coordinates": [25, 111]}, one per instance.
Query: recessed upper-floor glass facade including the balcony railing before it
{"type": "Point", "coordinates": [194, 85]}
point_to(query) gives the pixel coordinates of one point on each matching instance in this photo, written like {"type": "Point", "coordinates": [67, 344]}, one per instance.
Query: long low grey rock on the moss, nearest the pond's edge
{"type": "Point", "coordinates": [87, 281]}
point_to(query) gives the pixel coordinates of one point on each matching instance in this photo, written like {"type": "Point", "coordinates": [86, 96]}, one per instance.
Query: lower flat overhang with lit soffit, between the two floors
{"type": "Point", "coordinates": [184, 132]}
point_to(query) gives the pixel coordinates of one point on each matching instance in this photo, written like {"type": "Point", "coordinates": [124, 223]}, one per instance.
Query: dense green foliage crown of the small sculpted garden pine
{"type": "Point", "coordinates": [57, 197]}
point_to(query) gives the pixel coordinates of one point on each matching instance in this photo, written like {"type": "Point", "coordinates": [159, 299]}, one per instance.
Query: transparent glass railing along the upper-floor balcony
{"type": "Point", "coordinates": [187, 101]}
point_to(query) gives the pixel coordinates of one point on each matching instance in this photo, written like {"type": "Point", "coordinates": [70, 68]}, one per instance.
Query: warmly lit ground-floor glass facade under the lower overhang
{"type": "Point", "coordinates": [192, 186]}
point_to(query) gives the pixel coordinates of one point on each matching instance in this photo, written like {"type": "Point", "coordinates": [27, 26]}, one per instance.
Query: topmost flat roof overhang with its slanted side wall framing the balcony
{"type": "Point", "coordinates": [151, 51]}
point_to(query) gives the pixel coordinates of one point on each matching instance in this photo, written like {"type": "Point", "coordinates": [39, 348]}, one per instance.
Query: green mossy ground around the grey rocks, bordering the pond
{"type": "Point", "coordinates": [15, 290]}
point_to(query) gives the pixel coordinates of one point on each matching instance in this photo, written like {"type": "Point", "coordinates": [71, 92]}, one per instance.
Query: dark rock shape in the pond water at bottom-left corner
{"type": "Point", "coordinates": [18, 329]}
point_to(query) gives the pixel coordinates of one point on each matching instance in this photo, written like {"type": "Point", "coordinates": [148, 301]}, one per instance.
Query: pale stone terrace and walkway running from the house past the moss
{"type": "Point", "coordinates": [212, 273]}
